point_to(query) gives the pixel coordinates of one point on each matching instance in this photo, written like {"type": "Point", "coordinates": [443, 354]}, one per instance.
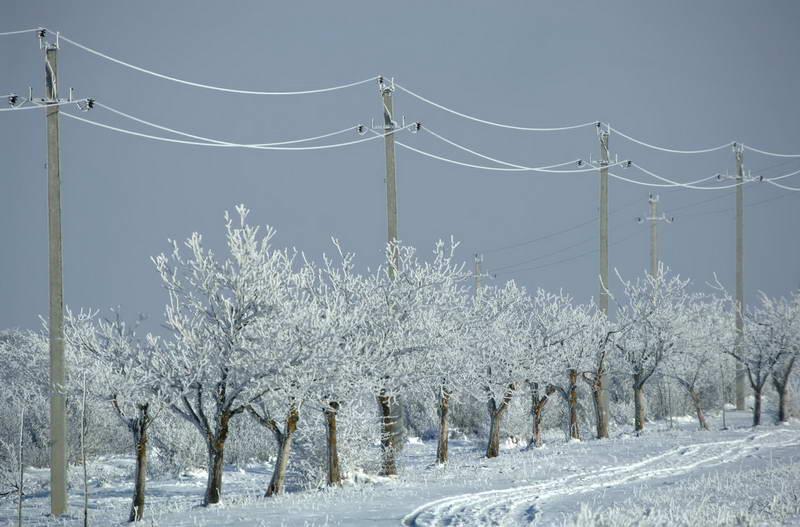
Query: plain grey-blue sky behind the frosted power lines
{"type": "Point", "coordinates": [681, 74]}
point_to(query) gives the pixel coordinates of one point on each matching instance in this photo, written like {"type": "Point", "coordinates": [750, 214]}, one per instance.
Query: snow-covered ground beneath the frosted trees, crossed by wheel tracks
{"type": "Point", "coordinates": [740, 476]}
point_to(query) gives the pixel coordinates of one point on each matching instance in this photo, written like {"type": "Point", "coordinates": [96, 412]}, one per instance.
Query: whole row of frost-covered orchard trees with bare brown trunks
{"type": "Point", "coordinates": [267, 334]}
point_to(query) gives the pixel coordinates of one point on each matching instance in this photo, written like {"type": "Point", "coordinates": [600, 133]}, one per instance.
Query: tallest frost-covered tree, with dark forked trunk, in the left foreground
{"type": "Point", "coordinates": [216, 313]}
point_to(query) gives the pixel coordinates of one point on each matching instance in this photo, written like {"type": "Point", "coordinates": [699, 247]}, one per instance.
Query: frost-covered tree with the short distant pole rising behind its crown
{"type": "Point", "coordinates": [652, 316]}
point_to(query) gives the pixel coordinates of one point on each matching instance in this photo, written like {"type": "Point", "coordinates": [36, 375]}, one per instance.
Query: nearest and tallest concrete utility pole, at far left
{"type": "Point", "coordinates": [58, 410]}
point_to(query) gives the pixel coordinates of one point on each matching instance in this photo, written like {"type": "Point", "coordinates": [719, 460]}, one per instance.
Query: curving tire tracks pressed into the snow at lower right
{"type": "Point", "coordinates": [518, 505]}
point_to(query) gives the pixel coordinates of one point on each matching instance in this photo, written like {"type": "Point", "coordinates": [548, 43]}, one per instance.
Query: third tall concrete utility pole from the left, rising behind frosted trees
{"type": "Point", "coordinates": [601, 391]}
